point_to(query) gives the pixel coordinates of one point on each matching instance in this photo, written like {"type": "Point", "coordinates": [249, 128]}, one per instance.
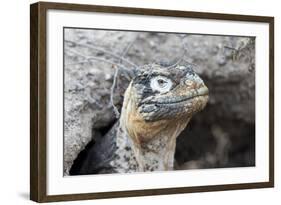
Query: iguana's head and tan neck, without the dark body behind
{"type": "Point", "coordinates": [158, 104]}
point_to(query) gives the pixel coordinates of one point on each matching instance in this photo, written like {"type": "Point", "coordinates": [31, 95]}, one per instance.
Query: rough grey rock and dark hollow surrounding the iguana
{"type": "Point", "coordinates": [223, 135]}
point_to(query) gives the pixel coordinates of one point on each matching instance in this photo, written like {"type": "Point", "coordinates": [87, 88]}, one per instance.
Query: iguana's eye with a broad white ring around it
{"type": "Point", "coordinates": [161, 84]}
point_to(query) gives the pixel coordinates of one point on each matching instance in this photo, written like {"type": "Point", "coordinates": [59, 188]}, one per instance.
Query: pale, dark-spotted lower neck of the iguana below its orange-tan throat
{"type": "Point", "coordinates": [155, 155]}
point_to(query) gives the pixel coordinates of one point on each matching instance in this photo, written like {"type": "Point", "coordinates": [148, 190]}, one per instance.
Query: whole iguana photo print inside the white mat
{"type": "Point", "coordinates": [137, 101]}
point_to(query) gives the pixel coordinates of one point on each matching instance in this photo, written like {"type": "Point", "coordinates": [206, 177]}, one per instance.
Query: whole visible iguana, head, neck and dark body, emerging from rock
{"type": "Point", "coordinates": [158, 104]}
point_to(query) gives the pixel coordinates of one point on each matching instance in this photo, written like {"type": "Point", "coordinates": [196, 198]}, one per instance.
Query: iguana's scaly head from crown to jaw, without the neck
{"type": "Point", "coordinates": [168, 92]}
